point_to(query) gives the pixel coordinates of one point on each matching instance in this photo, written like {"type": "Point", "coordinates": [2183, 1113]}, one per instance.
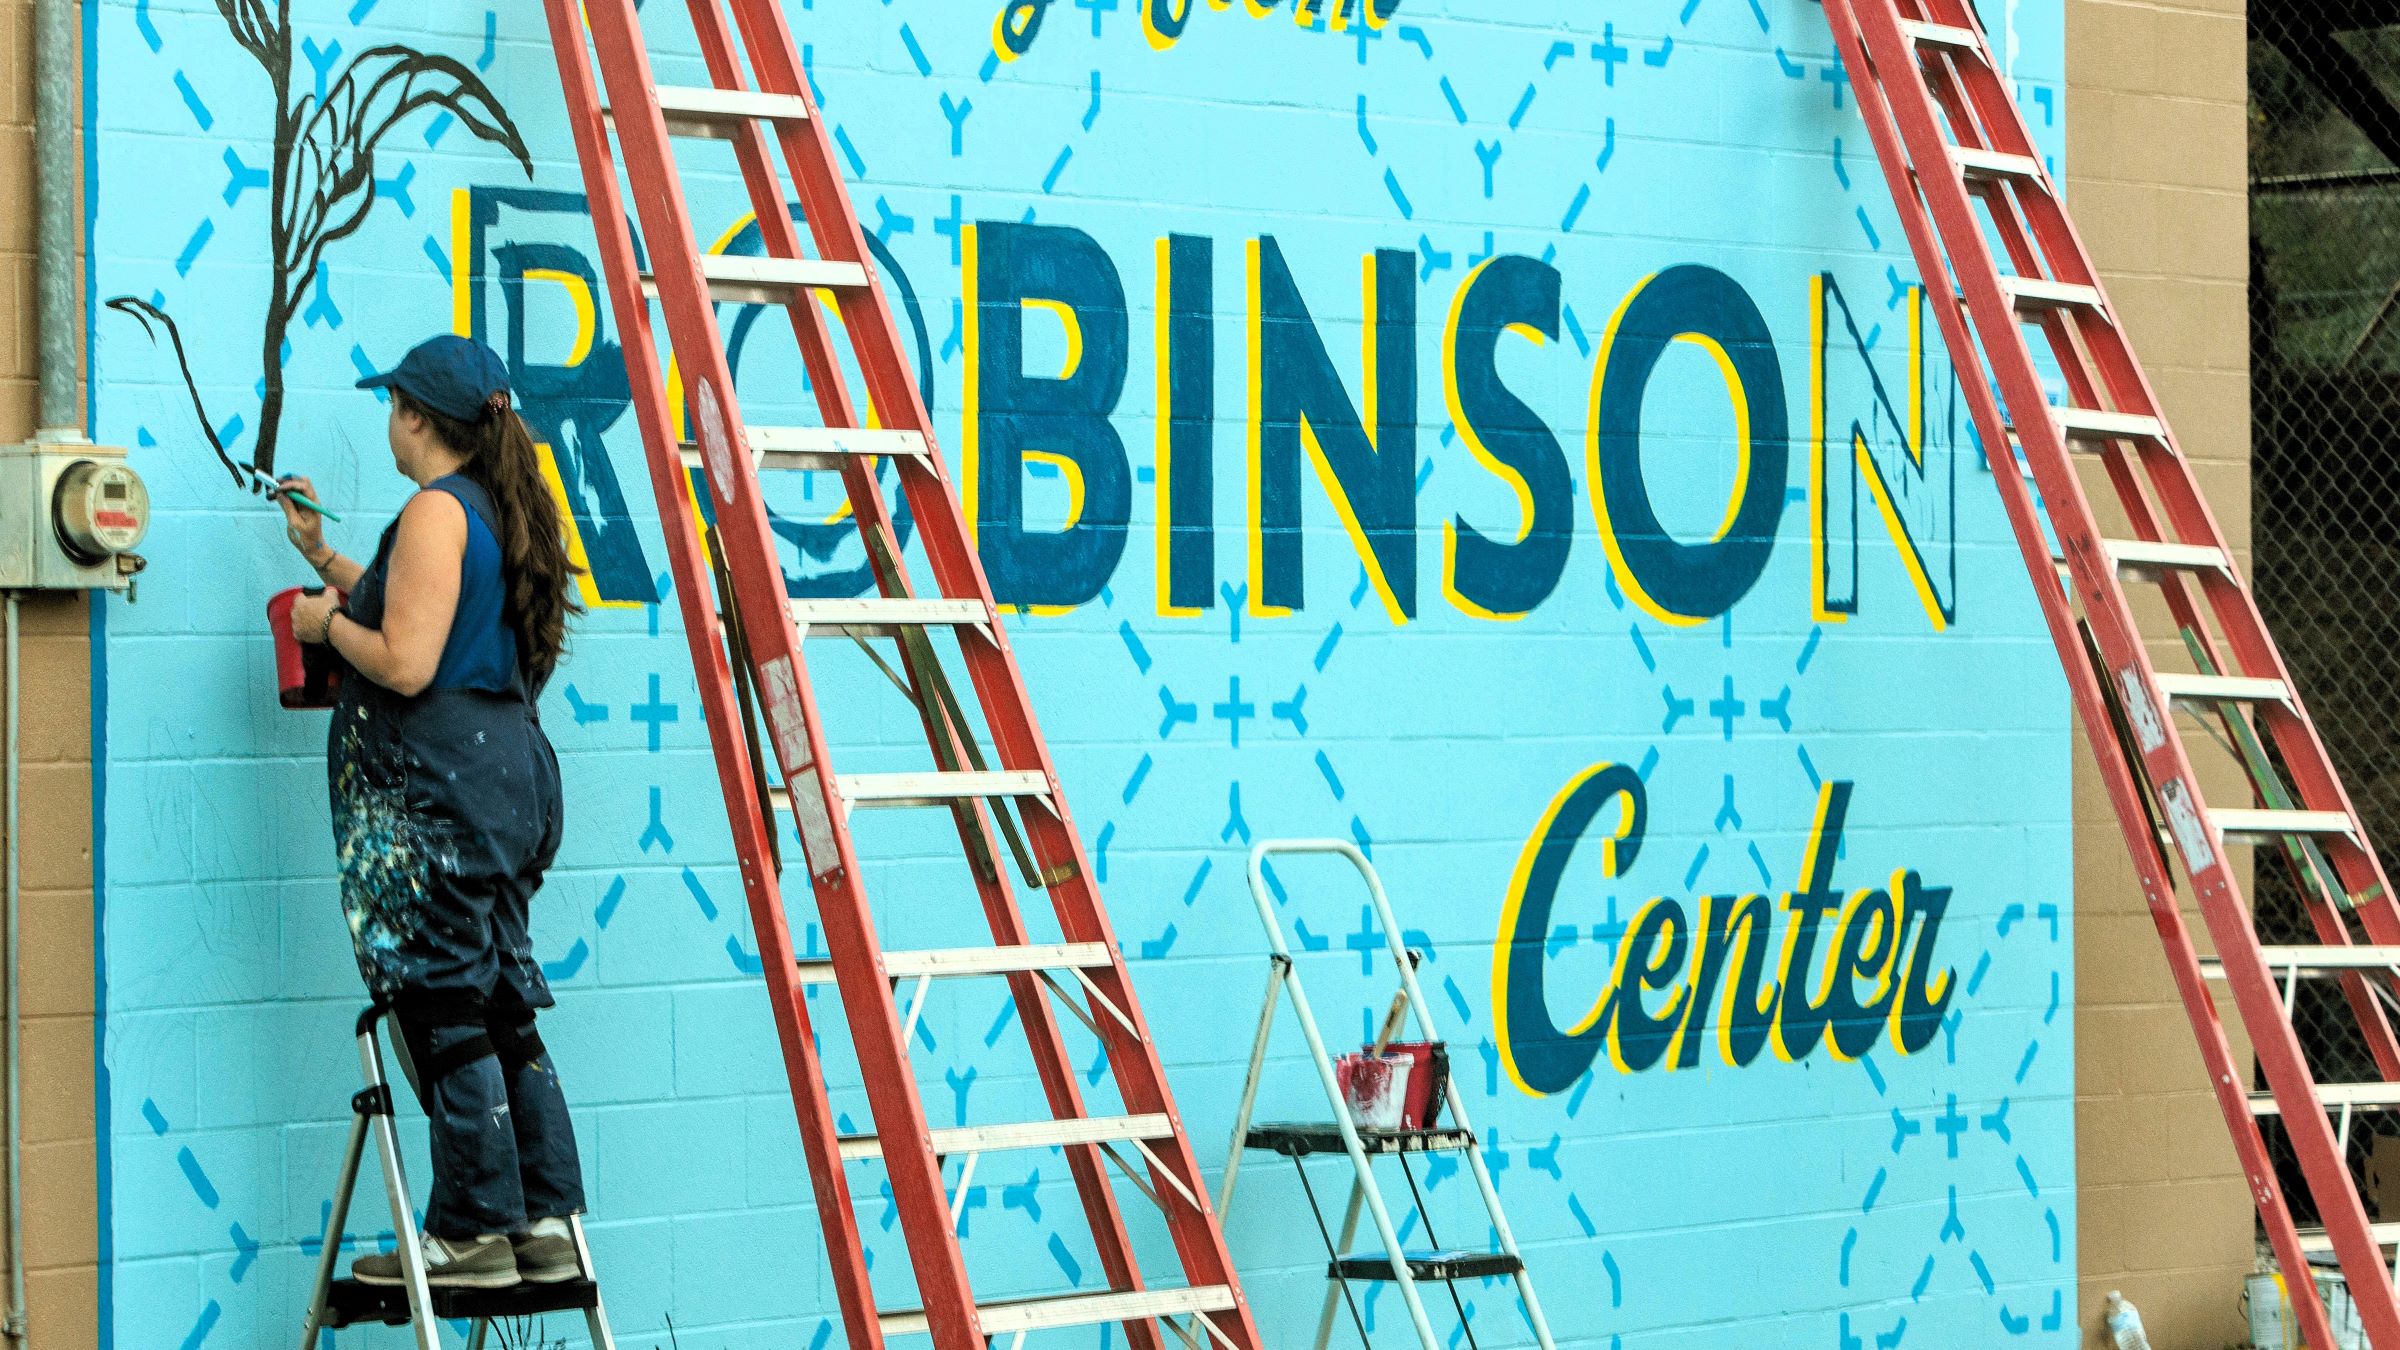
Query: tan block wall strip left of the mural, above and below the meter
{"type": "Point", "coordinates": [59, 1125]}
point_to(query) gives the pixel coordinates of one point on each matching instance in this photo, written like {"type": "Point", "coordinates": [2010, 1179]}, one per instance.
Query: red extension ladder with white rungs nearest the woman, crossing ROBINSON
{"type": "Point", "coordinates": [757, 114]}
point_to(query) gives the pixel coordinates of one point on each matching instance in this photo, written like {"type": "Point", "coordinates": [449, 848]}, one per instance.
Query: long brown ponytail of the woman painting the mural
{"type": "Point", "coordinates": [500, 460]}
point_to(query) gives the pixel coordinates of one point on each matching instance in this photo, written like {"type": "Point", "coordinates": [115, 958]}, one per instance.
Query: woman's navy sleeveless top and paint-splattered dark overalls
{"type": "Point", "coordinates": [445, 818]}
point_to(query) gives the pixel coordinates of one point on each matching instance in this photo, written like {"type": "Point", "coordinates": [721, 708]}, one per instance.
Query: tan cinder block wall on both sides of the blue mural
{"type": "Point", "coordinates": [2159, 186]}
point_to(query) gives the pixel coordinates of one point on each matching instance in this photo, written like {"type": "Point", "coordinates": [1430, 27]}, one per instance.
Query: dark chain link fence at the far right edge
{"type": "Point", "coordinates": [2324, 160]}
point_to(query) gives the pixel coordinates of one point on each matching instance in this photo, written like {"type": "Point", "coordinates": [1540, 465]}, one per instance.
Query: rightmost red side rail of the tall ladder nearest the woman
{"type": "Point", "coordinates": [992, 669]}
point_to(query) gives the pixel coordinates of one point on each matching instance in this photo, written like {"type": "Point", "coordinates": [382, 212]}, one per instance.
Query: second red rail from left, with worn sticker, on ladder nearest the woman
{"type": "Point", "coordinates": [786, 691]}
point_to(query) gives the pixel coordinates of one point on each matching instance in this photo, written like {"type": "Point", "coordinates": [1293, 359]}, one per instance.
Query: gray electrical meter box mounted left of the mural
{"type": "Point", "coordinates": [71, 518]}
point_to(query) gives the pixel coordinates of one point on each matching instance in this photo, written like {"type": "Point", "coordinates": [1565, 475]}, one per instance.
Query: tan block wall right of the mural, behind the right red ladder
{"type": "Point", "coordinates": [2156, 150]}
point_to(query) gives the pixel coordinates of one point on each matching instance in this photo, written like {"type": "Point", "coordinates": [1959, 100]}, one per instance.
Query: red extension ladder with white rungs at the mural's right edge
{"type": "Point", "coordinates": [1952, 138]}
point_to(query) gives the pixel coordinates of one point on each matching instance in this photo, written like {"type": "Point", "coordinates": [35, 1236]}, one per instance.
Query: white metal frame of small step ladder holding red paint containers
{"type": "Point", "coordinates": [1285, 979]}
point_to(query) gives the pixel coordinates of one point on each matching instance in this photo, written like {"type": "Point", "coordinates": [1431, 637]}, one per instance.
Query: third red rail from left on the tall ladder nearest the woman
{"type": "Point", "coordinates": [872, 515]}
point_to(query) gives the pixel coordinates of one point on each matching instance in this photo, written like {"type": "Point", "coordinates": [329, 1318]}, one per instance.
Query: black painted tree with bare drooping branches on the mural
{"type": "Point", "coordinates": [323, 184]}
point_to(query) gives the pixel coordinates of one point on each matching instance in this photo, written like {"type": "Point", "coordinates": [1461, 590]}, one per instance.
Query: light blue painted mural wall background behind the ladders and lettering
{"type": "Point", "coordinates": [1900, 1200]}
